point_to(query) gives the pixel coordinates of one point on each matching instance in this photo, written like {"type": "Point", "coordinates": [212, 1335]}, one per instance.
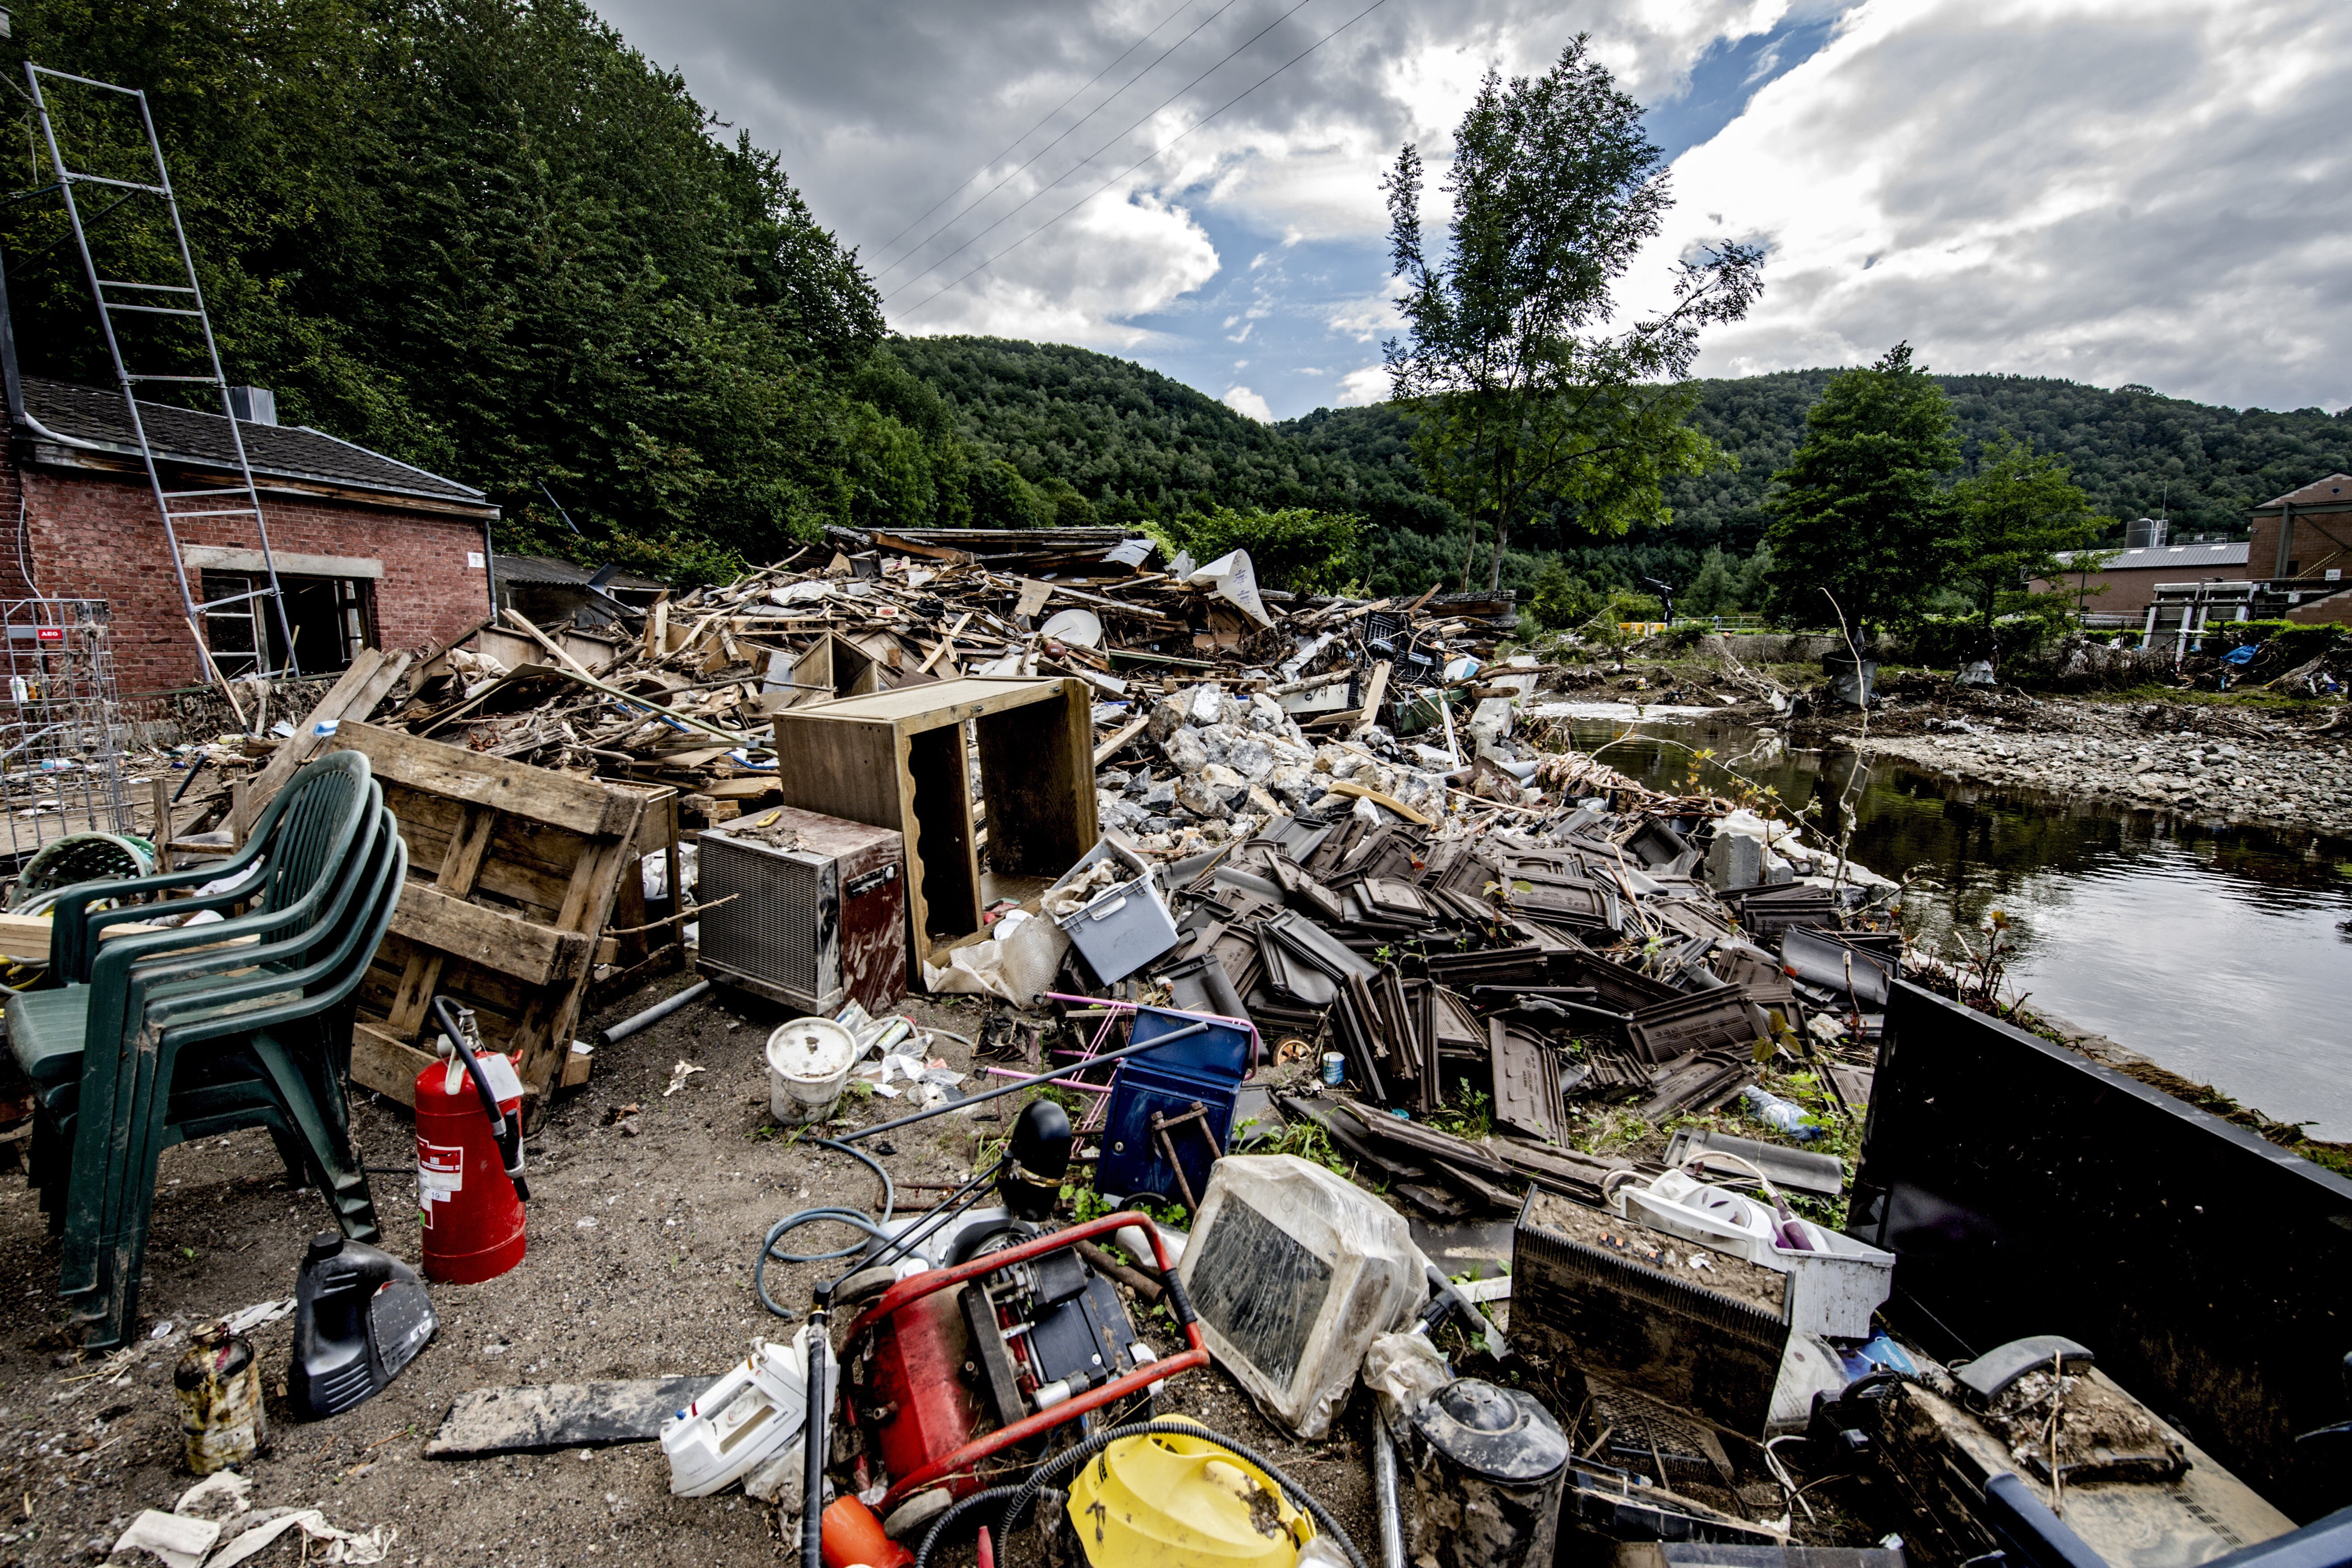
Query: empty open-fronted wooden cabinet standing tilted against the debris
{"type": "Point", "coordinates": [900, 760]}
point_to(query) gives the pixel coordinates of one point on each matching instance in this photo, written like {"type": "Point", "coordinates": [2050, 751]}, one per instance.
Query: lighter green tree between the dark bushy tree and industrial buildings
{"type": "Point", "coordinates": [2017, 514]}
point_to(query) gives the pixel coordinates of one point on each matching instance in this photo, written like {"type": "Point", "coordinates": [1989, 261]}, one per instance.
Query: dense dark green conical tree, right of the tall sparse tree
{"type": "Point", "coordinates": [1862, 518]}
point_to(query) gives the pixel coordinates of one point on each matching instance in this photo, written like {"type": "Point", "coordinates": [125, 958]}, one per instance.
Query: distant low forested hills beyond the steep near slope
{"type": "Point", "coordinates": [1137, 445]}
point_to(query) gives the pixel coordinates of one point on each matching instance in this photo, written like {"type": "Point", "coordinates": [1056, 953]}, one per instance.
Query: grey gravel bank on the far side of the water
{"type": "Point", "coordinates": [2207, 763]}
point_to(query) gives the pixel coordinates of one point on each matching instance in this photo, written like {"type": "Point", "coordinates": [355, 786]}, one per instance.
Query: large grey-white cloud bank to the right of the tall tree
{"type": "Point", "coordinates": [2092, 189]}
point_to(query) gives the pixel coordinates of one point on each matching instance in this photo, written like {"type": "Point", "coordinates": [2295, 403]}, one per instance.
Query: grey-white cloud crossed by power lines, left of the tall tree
{"type": "Point", "coordinates": [878, 109]}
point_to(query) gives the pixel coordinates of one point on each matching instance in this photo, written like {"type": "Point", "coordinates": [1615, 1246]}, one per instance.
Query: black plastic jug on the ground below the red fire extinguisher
{"type": "Point", "coordinates": [361, 1315]}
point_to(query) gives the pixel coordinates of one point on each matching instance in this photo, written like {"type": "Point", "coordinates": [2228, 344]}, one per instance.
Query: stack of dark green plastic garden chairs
{"type": "Point", "coordinates": [208, 1028]}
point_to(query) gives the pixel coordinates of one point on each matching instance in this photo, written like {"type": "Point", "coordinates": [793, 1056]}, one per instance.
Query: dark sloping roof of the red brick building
{"type": "Point", "coordinates": [95, 420]}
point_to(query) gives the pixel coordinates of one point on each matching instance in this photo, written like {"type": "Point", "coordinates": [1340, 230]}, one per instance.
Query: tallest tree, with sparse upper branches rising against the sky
{"type": "Point", "coordinates": [1528, 403]}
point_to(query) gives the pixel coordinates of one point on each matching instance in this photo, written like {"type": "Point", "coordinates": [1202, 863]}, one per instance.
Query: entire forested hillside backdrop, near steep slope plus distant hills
{"type": "Point", "coordinates": [490, 239]}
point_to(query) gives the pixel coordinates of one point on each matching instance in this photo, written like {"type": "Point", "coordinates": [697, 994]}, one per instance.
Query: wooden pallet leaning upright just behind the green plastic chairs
{"type": "Point", "coordinates": [512, 883]}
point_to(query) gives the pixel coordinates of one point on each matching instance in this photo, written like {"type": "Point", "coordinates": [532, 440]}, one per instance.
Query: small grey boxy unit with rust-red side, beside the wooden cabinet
{"type": "Point", "coordinates": [806, 911]}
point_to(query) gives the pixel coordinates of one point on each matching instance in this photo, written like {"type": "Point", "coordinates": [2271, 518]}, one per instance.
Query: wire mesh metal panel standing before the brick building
{"type": "Point", "coordinates": [60, 723]}
